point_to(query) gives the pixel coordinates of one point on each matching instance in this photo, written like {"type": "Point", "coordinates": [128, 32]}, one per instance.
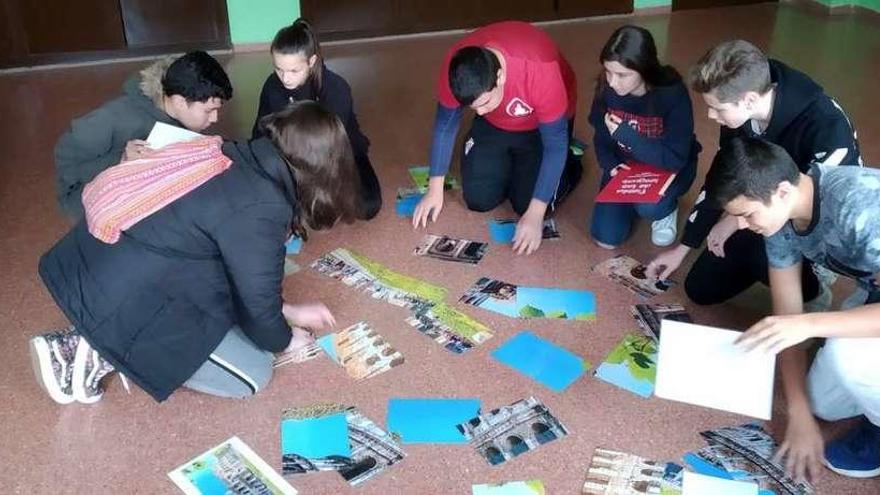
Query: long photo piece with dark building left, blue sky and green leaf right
{"type": "Point", "coordinates": [531, 302]}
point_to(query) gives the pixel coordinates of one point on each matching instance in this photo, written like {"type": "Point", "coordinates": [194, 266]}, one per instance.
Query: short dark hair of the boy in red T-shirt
{"type": "Point", "coordinates": [473, 70]}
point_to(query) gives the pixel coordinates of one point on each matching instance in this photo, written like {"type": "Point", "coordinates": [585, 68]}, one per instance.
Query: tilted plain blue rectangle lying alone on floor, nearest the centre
{"type": "Point", "coordinates": [549, 364]}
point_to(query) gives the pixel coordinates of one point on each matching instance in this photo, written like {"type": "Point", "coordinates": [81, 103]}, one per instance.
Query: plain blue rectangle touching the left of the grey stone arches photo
{"type": "Point", "coordinates": [430, 420]}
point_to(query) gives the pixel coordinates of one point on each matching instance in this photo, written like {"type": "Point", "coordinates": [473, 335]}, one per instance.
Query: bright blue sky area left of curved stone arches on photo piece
{"type": "Point", "coordinates": [316, 438]}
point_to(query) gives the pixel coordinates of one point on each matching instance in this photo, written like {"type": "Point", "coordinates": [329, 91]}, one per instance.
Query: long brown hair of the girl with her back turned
{"type": "Point", "coordinates": [313, 142]}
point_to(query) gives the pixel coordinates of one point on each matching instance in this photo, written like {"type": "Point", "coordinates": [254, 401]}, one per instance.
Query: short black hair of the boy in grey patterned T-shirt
{"type": "Point", "coordinates": [750, 167]}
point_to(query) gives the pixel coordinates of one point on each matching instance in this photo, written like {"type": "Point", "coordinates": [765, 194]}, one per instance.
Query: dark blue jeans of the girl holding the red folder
{"type": "Point", "coordinates": [612, 222]}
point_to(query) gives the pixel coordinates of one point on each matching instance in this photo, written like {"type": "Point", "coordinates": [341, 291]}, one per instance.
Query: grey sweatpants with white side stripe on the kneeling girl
{"type": "Point", "coordinates": [237, 368]}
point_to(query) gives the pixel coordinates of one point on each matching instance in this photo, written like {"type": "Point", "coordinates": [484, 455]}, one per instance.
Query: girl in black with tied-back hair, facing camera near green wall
{"type": "Point", "coordinates": [299, 75]}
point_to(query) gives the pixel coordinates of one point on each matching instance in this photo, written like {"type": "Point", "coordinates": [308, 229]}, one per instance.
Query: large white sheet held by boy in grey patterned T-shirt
{"type": "Point", "coordinates": [700, 365]}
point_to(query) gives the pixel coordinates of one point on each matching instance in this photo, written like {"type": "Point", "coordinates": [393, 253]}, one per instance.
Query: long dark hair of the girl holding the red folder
{"type": "Point", "coordinates": [633, 47]}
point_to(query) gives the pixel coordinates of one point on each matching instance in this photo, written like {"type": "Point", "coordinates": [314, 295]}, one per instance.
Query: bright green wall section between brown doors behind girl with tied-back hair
{"type": "Point", "coordinates": [258, 21]}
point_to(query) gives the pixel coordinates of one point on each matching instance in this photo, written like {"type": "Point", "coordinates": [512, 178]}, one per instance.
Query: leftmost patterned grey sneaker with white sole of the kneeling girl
{"type": "Point", "coordinates": [52, 356]}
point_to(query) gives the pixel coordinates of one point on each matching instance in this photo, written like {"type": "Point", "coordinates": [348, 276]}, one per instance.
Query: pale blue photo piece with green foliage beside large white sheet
{"type": "Point", "coordinates": [632, 365]}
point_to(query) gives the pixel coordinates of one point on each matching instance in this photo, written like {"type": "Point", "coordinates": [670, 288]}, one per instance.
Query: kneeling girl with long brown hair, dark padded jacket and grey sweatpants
{"type": "Point", "coordinates": [191, 295]}
